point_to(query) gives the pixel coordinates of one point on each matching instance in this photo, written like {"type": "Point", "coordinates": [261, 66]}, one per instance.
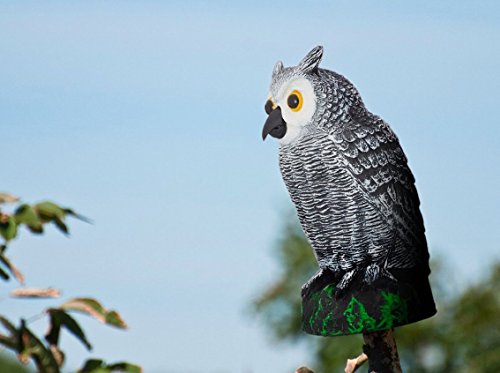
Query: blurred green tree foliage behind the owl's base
{"type": "Point", "coordinates": [463, 337]}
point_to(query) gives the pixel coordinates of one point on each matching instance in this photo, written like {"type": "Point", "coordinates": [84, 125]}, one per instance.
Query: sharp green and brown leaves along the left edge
{"type": "Point", "coordinates": [45, 352]}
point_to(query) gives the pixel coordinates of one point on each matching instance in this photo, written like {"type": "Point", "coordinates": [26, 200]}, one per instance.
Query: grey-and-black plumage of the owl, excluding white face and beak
{"type": "Point", "coordinates": [350, 182]}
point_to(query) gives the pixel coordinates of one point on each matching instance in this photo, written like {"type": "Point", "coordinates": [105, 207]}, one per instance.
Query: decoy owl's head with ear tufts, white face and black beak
{"type": "Point", "coordinates": [305, 98]}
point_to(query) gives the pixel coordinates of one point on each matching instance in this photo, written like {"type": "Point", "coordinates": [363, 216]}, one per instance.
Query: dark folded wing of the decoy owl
{"type": "Point", "coordinates": [371, 153]}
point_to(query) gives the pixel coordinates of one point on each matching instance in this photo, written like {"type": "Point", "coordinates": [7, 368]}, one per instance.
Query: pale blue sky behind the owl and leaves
{"type": "Point", "coordinates": [146, 117]}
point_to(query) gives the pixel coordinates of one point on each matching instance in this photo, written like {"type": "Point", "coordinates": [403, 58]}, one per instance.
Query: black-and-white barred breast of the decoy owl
{"type": "Point", "coordinates": [336, 218]}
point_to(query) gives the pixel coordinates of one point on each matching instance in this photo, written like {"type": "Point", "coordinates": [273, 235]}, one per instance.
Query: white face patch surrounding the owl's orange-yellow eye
{"type": "Point", "coordinates": [296, 119]}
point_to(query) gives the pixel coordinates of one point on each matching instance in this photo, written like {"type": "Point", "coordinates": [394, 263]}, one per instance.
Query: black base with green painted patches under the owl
{"type": "Point", "coordinates": [360, 308]}
